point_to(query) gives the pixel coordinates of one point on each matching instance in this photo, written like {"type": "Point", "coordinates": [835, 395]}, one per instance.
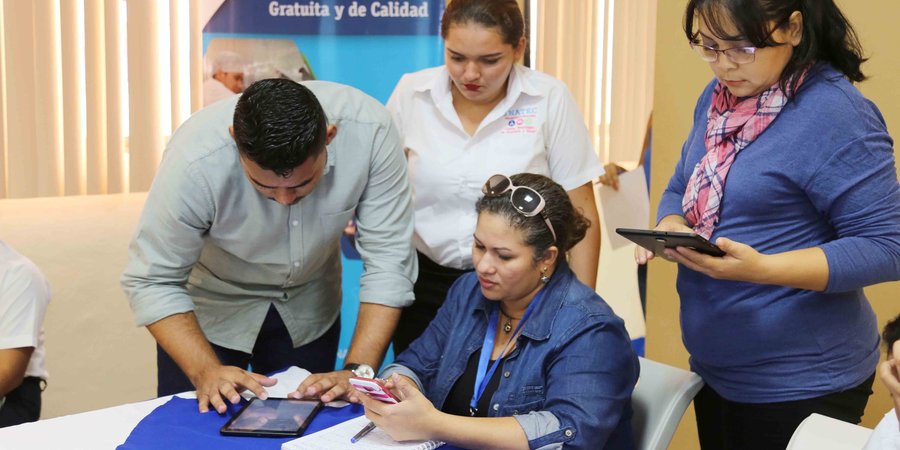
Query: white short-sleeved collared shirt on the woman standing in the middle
{"type": "Point", "coordinates": [536, 128]}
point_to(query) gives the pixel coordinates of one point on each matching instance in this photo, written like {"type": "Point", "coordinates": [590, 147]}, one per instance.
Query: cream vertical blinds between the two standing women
{"type": "Point", "coordinates": [604, 51]}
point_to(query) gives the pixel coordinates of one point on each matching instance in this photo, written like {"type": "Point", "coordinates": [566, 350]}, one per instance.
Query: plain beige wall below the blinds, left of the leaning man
{"type": "Point", "coordinates": [95, 354]}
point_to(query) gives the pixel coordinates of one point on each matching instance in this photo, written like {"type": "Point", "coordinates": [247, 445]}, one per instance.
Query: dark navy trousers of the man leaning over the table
{"type": "Point", "coordinates": [272, 351]}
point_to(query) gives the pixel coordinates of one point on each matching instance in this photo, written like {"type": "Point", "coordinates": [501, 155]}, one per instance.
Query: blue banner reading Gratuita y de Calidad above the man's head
{"type": "Point", "coordinates": [363, 43]}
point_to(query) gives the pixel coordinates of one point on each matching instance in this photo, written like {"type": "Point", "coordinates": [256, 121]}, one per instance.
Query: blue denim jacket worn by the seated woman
{"type": "Point", "coordinates": [568, 381]}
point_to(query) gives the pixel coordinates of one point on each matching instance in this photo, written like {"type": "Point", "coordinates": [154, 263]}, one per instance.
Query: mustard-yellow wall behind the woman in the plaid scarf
{"type": "Point", "coordinates": [680, 76]}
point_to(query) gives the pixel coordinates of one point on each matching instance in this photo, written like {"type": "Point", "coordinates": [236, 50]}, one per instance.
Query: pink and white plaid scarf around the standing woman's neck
{"type": "Point", "coordinates": [733, 123]}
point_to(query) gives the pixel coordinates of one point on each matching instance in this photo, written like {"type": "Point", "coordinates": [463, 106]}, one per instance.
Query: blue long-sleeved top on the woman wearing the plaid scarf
{"type": "Point", "coordinates": [821, 175]}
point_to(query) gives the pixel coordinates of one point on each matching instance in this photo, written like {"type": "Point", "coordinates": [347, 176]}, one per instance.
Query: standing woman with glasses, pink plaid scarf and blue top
{"type": "Point", "coordinates": [790, 170]}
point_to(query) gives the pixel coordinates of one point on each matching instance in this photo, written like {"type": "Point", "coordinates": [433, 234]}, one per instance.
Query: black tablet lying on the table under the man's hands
{"type": "Point", "coordinates": [272, 417]}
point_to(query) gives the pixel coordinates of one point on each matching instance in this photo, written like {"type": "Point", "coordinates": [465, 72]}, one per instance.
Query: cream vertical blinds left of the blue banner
{"type": "Point", "coordinates": [90, 90]}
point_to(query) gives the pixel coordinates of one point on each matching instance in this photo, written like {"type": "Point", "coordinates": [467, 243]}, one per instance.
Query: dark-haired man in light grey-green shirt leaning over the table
{"type": "Point", "coordinates": [236, 257]}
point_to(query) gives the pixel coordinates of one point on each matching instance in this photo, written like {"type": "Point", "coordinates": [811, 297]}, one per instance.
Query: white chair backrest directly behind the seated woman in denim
{"type": "Point", "coordinates": [659, 400]}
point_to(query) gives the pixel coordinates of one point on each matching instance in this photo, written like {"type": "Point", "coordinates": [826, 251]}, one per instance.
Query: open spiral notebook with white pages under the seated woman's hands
{"type": "Point", "coordinates": [338, 438]}
